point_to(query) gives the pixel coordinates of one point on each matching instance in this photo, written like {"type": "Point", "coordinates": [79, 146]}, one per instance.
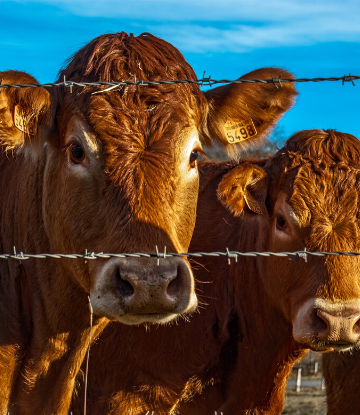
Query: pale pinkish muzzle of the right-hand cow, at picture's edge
{"type": "Point", "coordinates": [324, 325]}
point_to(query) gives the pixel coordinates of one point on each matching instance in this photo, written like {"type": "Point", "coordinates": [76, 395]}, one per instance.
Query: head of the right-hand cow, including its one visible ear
{"type": "Point", "coordinates": [307, 196]}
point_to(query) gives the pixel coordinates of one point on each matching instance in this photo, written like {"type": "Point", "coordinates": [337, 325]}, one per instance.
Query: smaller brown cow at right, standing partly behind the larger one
{"type": "Point", "coordinates": [261, 314]}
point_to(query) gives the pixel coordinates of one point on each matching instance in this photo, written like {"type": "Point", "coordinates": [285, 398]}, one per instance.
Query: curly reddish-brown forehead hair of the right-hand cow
{"type": "Point", "coordinates": [317, 169]}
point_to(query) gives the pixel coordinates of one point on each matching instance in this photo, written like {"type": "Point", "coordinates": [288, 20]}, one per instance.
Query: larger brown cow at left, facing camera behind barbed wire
{"type": "Point", "coordinates": [103, 170]}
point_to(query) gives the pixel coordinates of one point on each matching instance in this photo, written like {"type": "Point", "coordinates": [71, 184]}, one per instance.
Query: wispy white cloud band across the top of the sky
{"type": "Point", "coordinates": [230, 25]}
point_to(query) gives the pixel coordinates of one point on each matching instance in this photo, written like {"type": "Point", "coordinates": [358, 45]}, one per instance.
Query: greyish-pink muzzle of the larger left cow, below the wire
{"type": "Point", "coordinates": [137, 290]}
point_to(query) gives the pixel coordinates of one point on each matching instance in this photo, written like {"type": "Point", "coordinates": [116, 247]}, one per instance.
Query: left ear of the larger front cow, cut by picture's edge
{"type": "Point", "coordinates": [23, 111]}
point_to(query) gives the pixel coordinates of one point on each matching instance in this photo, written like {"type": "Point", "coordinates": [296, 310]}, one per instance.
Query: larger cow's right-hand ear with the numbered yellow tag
{"type": "Point", "coordinates": [244, 114]}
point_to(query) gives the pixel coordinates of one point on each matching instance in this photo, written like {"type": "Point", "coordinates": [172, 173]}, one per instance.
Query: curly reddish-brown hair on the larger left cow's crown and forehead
{"type": "Point", "coordinates": [137, 125]}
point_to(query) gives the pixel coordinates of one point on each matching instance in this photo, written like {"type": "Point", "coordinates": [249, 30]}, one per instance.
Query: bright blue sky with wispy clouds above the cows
{"type": "Point", "coordinates": [226, 38]}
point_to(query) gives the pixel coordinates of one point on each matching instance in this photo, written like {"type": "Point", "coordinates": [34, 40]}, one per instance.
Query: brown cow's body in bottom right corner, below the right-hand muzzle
{"type": "Point", "coordinates": [341, 371]}
